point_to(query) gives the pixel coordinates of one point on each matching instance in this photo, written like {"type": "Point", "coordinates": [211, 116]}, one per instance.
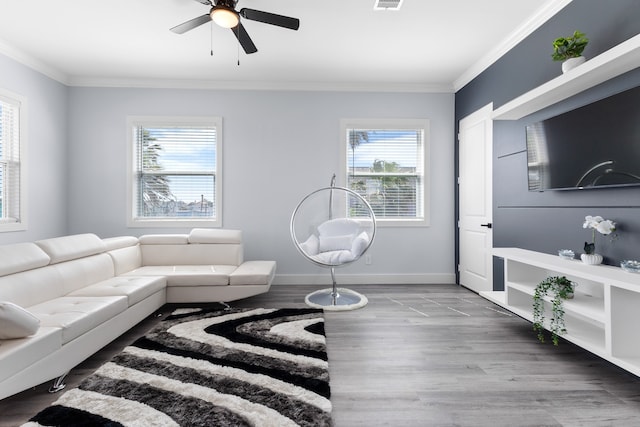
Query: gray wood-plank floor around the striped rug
{"type": "Point", "coordinates": [431, 355]}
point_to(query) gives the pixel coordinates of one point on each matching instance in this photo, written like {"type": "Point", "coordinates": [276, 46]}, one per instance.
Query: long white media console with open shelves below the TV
{"type": "Point", "coordinates": [604, 315]}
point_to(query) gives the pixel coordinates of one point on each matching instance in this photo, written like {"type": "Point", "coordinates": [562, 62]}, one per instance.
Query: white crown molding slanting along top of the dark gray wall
{"type": "Point", "coordinates": [546, 12]}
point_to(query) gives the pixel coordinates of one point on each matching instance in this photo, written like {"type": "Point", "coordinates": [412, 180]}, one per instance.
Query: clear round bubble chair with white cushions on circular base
{"type": "Point", "coordinates": [332, 227]}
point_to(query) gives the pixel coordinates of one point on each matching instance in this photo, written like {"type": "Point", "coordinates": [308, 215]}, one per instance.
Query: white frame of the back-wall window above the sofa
{"type": "Point", "coordinates": [135, 221]}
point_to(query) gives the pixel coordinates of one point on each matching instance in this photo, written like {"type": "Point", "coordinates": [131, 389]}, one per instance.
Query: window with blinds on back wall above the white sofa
{"type": "Point", "coordinates": [175, 167]}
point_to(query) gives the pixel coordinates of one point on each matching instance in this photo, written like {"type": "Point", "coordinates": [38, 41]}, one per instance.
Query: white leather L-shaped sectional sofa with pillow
{"type": "Point", "coordinates": [64, 298]}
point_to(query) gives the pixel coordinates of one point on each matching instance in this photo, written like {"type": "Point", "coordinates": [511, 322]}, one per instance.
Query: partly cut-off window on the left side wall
{"type": "Point", "coordinates": [12, 168]}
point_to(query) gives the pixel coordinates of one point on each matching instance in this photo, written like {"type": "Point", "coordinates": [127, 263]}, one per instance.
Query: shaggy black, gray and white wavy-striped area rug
{"type": "Point", "coordinates": [203, 367]}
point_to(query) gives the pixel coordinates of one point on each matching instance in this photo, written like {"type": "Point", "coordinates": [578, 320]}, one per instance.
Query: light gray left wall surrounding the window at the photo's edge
{"type": "Point", "coordinates": [46, 159]}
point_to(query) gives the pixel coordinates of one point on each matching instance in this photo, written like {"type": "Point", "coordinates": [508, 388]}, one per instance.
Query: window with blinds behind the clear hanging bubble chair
{"type": "Point", "coordinates": [385, 162]}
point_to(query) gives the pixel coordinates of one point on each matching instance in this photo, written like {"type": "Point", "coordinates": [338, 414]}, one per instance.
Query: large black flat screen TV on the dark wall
{"type": "Point", "coordinates": [594, 146]}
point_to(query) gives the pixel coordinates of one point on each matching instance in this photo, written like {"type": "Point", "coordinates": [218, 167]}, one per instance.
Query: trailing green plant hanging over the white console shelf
{"type": "Point", "coordinates": [561, 288]}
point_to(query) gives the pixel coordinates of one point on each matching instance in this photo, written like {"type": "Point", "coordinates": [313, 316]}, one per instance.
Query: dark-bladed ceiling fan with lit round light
{"type": "Point", "coordinates": [223, 13]}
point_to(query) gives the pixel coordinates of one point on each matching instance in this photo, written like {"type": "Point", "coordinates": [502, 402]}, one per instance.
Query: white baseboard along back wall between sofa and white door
{"type": "Point", "coordinates": [365, 279]}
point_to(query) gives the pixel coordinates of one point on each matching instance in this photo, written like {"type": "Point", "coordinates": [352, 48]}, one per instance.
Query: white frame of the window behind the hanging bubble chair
{"type": "Point", "coordinates": [391, 124]}
